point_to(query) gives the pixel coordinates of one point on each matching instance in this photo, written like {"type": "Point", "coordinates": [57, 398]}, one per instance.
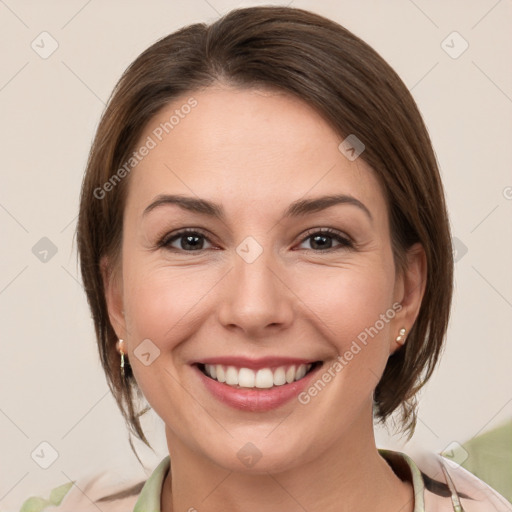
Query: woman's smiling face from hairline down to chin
{"type": "Point", "coordinates": [257, 286]}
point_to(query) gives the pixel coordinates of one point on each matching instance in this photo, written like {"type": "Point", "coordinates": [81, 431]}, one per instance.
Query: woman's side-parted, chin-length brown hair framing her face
{"type": "Point", "coordinates": [354, 89]}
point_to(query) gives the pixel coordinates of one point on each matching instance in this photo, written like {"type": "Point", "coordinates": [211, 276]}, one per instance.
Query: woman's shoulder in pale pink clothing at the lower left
{"type": "Point", "coordinates": [88, 494]}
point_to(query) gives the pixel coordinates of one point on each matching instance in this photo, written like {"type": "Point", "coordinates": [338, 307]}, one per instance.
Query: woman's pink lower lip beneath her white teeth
{"type": "Point", "coordinates": [254, 399]}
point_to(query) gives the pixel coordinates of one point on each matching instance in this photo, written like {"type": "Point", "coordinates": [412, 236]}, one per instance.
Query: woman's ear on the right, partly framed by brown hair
{"type": "Point", "coordinates": [409, 290]}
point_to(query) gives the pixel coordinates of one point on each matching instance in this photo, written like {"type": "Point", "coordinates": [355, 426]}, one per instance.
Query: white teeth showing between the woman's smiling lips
{"type": "Point", "coordinates": [264, 378]}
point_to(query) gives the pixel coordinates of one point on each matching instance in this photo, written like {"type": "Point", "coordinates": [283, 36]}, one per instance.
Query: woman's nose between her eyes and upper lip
{"type": "Point", "coordinates": [256, 300]}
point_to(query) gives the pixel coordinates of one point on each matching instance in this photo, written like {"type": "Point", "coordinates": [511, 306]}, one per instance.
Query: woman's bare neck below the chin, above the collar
{"type": "Point", "coordinates": [350, 475]}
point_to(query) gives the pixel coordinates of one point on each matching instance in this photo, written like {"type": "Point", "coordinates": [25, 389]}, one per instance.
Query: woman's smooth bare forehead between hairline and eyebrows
{"type": "Point", "coordinates": [243, 147]}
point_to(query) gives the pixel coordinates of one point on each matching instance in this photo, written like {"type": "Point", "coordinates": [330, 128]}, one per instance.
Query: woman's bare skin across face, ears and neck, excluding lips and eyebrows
{"type": "Point", "coordinates": [255, 152]}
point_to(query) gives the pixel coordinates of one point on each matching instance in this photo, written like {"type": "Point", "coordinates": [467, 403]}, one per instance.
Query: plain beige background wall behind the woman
{"type": "Point", "coordinates": [52, 388]}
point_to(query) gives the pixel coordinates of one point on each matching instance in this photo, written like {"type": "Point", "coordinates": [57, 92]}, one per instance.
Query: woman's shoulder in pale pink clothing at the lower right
{"type": "Point", "coordinates": [448, 486]}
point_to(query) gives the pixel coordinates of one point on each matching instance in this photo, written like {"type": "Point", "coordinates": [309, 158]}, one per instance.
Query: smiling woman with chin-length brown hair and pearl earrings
{"type": "Point", "coordinates": [266, 252]}
